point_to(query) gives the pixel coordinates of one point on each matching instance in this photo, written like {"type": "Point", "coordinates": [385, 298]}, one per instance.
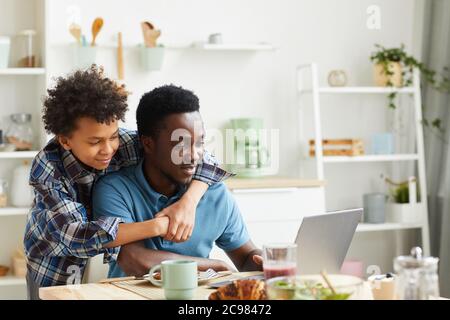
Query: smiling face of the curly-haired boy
{"type": "Point", "coordinates": [93, 143]}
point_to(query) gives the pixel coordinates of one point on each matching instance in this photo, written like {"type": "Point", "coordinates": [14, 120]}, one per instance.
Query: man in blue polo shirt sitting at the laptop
{"type": "Point", "coordinates": [139, 192]}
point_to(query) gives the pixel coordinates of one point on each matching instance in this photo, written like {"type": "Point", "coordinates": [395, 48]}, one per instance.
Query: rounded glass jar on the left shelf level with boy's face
{"type": "Point", "coordinates": [20, 134]}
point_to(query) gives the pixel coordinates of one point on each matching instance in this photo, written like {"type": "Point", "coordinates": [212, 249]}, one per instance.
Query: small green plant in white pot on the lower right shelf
{"type": "Point", "coordinates": [402, 208]}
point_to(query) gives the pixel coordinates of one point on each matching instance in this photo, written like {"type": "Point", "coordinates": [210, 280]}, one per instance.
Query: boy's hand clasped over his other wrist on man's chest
{"type": "Point", "coordinates": [181, 216]}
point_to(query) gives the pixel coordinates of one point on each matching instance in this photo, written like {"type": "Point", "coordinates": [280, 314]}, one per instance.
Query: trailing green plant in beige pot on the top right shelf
{"type": "Point", "coordinates": [393, 67]}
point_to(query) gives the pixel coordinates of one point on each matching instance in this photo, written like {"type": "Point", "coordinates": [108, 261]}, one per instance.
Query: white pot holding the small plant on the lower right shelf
{"type": "Point", "coordinates": [404, 212]}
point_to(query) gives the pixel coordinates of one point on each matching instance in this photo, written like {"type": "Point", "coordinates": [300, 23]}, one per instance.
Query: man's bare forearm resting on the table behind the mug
{"type": "Point", "coordinates": [135, 259]}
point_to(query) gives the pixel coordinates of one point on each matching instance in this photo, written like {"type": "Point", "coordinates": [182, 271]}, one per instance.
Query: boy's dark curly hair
{"type": "Point", "coordinates": [84, 93]}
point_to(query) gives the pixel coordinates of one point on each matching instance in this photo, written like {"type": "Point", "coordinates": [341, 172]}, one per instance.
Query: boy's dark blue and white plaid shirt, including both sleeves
{"type": "Point", "coordinates": [60, 235]}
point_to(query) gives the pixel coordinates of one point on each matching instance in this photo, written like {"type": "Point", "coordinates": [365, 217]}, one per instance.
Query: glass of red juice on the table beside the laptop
{"type": "Point", "coordinates": [280, 259]}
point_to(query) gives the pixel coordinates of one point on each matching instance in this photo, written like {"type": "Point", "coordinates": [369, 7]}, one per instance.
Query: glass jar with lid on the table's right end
{"type": "Point", "coordinates": [417, 276]}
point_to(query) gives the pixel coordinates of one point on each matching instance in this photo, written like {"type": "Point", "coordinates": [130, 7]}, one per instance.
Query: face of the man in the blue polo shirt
{"type": "Point", "coordinates": [178, 159]}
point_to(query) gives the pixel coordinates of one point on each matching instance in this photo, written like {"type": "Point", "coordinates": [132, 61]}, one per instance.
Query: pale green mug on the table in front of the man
{"type": "Point", "coordinates": [178, 278]}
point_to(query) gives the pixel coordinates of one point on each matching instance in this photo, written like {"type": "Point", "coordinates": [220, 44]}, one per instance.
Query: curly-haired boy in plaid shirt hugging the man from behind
{"type": "Point", "coordinates": [83, 111]}
